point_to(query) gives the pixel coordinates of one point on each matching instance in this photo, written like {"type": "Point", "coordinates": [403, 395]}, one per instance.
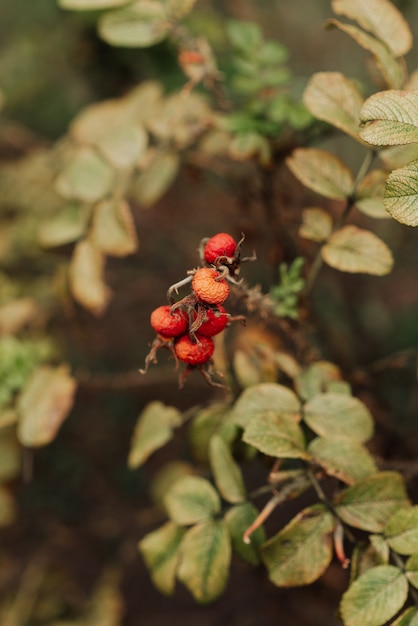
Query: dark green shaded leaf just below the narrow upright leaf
{"type": "Point", "coordinates": [238, 519]}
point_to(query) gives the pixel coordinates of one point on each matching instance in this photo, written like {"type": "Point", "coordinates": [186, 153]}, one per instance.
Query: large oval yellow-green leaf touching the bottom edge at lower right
{"type": "Point", "coordinates": [375, 597]}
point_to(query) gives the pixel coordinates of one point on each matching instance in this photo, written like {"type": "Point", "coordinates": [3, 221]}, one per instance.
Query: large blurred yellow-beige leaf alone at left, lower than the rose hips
{"type": "Point", "coordinates": [44, 404]}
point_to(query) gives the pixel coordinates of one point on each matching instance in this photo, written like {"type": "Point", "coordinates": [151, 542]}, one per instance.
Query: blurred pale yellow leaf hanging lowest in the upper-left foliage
{"type": "Point", "coordinates": [86, 274]}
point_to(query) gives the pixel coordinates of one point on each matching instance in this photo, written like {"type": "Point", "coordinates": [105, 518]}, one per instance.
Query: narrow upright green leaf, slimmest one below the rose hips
{"type": "Point", "coordinates": [226, 472]}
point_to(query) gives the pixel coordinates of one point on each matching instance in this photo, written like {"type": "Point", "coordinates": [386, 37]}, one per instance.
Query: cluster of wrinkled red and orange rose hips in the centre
{"type": "Point", "coordinates": [186, 327]}
